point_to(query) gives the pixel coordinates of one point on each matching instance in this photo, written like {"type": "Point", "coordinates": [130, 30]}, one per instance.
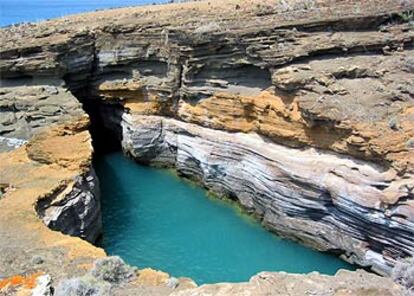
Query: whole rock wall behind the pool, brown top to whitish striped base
{"type": "Point", "coordinates": [315, 98]}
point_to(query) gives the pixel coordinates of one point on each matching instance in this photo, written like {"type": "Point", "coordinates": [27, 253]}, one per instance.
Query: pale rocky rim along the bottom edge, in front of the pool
{"type": "Point", "coordinates": [346, 283]}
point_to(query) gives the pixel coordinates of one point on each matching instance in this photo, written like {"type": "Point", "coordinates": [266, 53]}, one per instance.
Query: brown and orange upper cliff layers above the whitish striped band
{"type": "Point", "coordinates": [189, 65]}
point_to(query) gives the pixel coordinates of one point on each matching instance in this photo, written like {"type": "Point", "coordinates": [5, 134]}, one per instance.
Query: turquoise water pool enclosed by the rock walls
{"type": "Point", "coordinates": [154, 219]}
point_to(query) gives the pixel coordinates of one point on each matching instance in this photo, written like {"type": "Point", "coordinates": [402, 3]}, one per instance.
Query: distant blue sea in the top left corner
{"type": "Point", "coordinates": [18, 11]}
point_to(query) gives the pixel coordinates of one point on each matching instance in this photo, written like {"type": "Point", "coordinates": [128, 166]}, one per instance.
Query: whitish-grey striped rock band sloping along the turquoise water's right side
{"type": "Point", "coordinates": [325, 200]}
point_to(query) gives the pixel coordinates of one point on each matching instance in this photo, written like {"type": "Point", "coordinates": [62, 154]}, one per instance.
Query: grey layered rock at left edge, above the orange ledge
{"type": "Point", "coordinates": [26, 107]}
